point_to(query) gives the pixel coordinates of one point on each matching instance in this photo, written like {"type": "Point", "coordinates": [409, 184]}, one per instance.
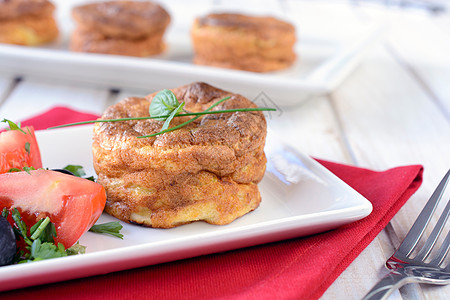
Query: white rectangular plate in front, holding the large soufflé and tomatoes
{"type": "Point", "coordinates": [299, 197]}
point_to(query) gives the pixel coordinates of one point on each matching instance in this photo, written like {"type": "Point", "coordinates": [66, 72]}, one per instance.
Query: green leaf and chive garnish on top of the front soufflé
{"type": "Point", "coordinates": [164, 107]}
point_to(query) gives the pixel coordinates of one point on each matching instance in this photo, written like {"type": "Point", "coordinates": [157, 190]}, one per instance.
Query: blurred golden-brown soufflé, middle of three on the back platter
{"type": "Point", "coordinates": [120, 27]}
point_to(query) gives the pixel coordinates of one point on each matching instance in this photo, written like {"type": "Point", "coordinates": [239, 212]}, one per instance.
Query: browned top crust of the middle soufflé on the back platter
{"type": "Point", "coordinates": [122, 19]}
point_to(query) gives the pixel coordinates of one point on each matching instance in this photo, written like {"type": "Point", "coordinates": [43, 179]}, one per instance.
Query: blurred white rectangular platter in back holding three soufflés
{"type": "Point", "coordinates": [328, 48]}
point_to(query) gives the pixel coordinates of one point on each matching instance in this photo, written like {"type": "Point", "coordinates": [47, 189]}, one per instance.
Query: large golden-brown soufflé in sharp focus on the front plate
{"type": "Point", "coordinates": [207, 170]}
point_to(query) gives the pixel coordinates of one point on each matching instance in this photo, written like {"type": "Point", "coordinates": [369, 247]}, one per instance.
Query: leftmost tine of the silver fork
{"type": "Point", "coordinates": [416, 231]}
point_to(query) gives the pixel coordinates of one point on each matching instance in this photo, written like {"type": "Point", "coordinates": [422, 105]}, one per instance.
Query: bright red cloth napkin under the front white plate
{"type": "Point", "coordinates": [300, 268]}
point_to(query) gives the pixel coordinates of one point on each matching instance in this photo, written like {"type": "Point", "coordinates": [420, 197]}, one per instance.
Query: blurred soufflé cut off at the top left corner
{"type": "Point", "coordinates": [27, 22]}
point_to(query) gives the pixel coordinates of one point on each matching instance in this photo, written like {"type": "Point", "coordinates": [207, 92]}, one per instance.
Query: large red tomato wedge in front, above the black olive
{"type": "Point", "coordinates": [73, 204]}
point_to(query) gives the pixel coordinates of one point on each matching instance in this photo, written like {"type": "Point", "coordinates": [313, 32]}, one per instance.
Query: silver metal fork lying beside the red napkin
{"type": "Point", "coordinates": [406, 267]}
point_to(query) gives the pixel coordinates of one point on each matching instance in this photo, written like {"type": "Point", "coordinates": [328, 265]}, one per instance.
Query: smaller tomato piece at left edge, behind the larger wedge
{"type": "Point", "coordinates": [19, 149]}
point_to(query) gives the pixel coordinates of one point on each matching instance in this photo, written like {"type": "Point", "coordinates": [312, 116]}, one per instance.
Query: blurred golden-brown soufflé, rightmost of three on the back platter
{"type": "Point", "coordinates": [237, 41]}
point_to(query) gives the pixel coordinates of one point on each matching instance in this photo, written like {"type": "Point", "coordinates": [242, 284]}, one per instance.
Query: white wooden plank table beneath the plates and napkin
{"type": "Point", "coordinates": [392, 110]}
